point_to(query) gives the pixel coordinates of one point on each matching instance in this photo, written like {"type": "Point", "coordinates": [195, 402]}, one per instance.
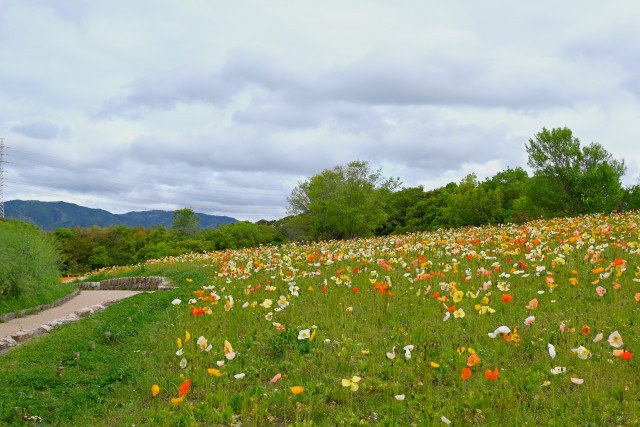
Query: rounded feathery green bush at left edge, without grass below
{"type": "Point", "coordinates": [29, 259]}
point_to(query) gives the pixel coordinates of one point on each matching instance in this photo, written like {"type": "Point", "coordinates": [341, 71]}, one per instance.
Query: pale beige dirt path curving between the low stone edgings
{"type": "Point", "coordinates": [82, 300]}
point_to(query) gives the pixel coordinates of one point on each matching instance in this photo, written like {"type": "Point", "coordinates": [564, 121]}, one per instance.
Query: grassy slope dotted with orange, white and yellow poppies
{"type": "Point", "coordinates": [536, 324]}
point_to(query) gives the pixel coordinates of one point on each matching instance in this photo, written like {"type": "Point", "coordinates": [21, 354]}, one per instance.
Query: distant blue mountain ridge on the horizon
{"type": "Point", "coordinates": [52, 215]}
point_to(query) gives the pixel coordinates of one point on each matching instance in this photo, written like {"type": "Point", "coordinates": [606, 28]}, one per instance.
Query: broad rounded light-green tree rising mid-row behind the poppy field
{"type": "Point", "coordinates": [344, 202]}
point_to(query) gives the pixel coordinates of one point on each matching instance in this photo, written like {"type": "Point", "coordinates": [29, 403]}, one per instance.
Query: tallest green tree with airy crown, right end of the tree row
{"type": "Point", "coordinates": [570, 179]}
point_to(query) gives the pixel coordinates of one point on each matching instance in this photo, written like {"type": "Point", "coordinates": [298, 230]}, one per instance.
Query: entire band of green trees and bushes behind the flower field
{"type": "Point", "coordinates": [355, 200]}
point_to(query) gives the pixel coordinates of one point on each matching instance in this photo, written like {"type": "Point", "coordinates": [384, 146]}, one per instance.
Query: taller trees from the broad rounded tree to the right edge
{"type": "Point", "coordinates": [568, 179]}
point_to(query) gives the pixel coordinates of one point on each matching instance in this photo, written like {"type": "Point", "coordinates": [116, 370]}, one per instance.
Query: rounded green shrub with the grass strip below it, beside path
{"type": "Point", "coordinates": [29, 268]}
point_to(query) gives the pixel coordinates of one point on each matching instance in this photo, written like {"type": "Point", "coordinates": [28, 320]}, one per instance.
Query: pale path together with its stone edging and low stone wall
{"type": "Point", "coordinates": [92, 297]}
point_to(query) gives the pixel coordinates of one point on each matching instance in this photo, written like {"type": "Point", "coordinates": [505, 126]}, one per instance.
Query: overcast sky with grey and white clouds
{"type": "Point", "coordinates": [225, 106]}
